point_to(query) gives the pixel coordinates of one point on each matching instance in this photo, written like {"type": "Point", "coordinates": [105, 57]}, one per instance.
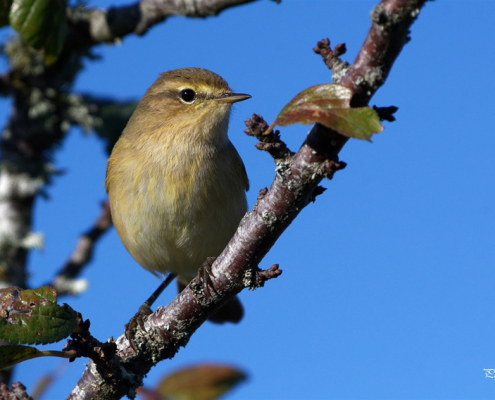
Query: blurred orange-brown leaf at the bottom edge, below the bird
{"type": "Point", "coordinates": [203, 382]}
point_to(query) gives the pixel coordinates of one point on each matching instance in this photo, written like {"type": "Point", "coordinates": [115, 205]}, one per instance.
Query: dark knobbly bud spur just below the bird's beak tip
{"type": "Point", "coordinates": [269, 139]}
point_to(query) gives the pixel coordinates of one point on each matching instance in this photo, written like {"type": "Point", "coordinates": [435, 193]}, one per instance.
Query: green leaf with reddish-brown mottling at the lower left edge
{"type": "Point", "coordinates": [34, 317]}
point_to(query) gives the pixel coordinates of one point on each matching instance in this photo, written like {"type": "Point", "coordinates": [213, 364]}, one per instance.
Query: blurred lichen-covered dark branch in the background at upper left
{"type": "Point", "coordinates": [44, 109]}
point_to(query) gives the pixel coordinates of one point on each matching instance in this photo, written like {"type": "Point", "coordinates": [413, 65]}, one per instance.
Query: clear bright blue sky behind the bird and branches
{"type": "Point", "coordinates": [388, 277]}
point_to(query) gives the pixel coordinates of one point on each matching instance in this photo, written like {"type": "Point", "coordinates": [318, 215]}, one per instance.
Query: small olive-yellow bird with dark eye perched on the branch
{"type": "Point", "coordinates": [175, 181]}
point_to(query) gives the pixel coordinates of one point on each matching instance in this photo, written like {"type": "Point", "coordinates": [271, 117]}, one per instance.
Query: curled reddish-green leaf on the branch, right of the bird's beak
{"type": "Point", "coordinates": [329, 105]}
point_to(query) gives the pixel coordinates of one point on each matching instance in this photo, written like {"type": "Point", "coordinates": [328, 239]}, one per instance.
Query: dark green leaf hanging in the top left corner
{"type": "Point", "coordinates": [42, 24]}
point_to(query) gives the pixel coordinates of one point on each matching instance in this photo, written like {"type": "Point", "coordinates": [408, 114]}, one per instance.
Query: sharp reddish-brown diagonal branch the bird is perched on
{"type": "Point", "coordinates": [295, 186]}
